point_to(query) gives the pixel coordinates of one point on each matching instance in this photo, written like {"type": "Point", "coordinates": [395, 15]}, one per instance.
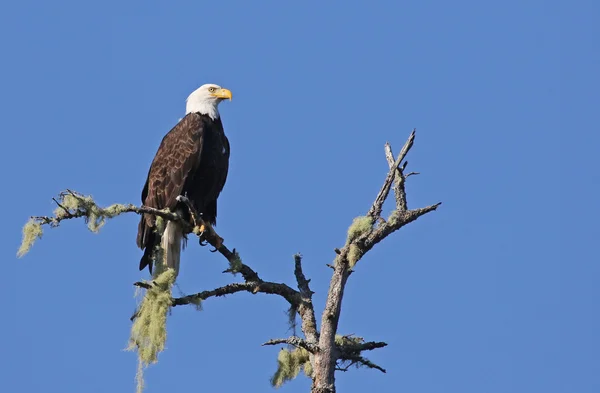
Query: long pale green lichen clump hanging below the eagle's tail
{"type": "Point", "coordinates": [149, 330]}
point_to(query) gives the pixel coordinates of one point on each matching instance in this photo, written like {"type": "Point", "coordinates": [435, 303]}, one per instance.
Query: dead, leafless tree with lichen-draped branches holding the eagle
{"type": "Point", "coordinates": [319, 352]}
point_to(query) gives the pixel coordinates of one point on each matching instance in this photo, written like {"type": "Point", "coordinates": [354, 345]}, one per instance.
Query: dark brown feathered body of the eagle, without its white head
{"type": "Point", "coordinates": [192, 160]}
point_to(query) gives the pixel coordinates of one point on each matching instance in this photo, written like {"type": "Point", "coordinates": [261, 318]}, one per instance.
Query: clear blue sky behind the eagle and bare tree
{"type": "Point", "coordinates": [495, 292]}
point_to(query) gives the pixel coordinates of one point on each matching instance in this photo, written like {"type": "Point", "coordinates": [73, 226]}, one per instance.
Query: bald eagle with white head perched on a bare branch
{"type": "Point", "coordinates": [192, 160]}
